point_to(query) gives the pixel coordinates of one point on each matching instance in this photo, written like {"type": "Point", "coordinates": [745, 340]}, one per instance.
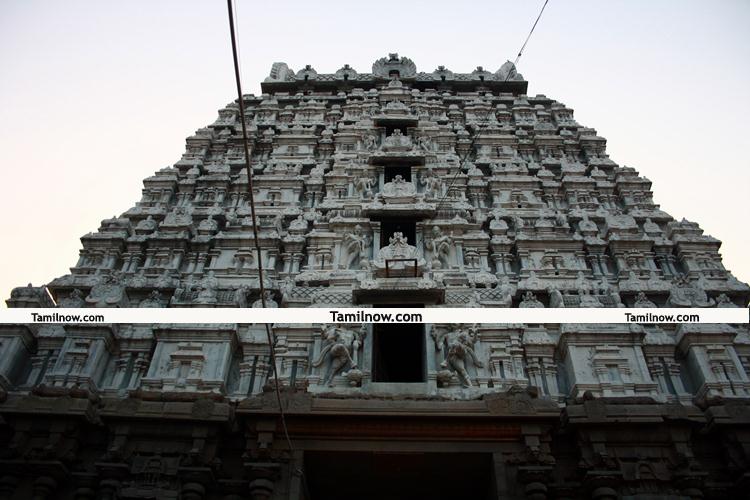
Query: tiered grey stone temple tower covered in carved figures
{"type": "Point", "coordinates": [385, 188]}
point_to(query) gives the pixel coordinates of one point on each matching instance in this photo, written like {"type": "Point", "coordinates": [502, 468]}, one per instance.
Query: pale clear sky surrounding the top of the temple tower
{"type": "Point", "coordinates": [95, 96]}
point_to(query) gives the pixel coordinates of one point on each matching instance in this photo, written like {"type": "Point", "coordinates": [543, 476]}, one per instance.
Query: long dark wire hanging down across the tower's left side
{"type": "Point", "coordinates": [269, 332]}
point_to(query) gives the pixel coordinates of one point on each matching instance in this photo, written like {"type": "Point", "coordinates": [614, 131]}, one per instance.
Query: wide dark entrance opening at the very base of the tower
{"type": "Point", "coordinates": [396, 476]}
